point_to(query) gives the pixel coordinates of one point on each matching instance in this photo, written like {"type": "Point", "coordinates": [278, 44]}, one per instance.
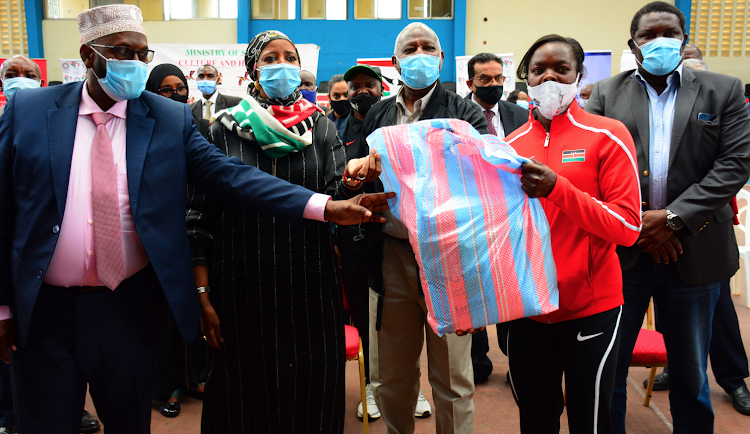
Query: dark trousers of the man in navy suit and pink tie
{"type": "Point", "coordinates": [106, 339]}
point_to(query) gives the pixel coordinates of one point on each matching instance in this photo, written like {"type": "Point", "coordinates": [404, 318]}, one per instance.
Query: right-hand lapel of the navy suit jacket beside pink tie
{"type": "Point", "coordinates": [137, 139]}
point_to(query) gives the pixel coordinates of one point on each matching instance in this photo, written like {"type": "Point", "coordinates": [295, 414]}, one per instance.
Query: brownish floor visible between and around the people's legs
{"type": "Point", "coordinates": [496, 411]}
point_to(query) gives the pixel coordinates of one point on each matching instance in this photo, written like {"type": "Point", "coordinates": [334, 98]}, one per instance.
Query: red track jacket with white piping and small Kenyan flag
{"type": "Point", "coordinates": [594, 205]}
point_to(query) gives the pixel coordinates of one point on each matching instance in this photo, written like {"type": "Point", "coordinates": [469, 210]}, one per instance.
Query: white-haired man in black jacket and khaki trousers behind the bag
{"type": "Point", "coordinates": [398, 314]}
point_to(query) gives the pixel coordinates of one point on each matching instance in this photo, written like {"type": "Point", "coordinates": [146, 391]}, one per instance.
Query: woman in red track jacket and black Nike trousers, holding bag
{"type": "Point", "coordinates": [585, 173]}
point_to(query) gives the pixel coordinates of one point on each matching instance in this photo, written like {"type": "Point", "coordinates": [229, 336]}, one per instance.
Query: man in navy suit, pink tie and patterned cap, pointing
{"type": "Point", "coordinates": [79, 306]}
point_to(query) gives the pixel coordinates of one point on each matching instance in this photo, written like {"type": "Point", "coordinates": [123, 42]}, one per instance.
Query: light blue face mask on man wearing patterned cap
{"type": "Point", "coordinates": [125, 79]}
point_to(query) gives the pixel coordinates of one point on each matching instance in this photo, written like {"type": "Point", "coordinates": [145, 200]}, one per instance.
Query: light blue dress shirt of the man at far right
{"type": "Point", "coordinates": [660, 119]}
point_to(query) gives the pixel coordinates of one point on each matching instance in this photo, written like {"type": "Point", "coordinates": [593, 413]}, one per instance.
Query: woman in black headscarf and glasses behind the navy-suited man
{"type": "Point", "coordinates": [180, 367]}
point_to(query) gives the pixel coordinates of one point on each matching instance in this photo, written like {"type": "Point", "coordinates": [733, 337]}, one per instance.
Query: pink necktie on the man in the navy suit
{"type": "Point", "coordinates": [110, 260]}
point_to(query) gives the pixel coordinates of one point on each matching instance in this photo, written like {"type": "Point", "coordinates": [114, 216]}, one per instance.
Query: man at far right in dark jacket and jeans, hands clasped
{"type": "Point", "coordinates": [692, 135]}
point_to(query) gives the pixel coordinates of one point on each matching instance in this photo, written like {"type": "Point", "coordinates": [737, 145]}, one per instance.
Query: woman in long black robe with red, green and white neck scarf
{"type": "Point", "coordinates": [274, 311]}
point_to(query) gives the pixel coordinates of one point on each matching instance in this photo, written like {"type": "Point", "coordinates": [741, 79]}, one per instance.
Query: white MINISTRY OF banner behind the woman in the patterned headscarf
{"type": "Point", "coordinates": [229, 60]}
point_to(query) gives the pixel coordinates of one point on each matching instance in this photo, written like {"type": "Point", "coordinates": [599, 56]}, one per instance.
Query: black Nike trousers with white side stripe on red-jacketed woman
{"type": "Point", "coordinates": [585, 349]}
